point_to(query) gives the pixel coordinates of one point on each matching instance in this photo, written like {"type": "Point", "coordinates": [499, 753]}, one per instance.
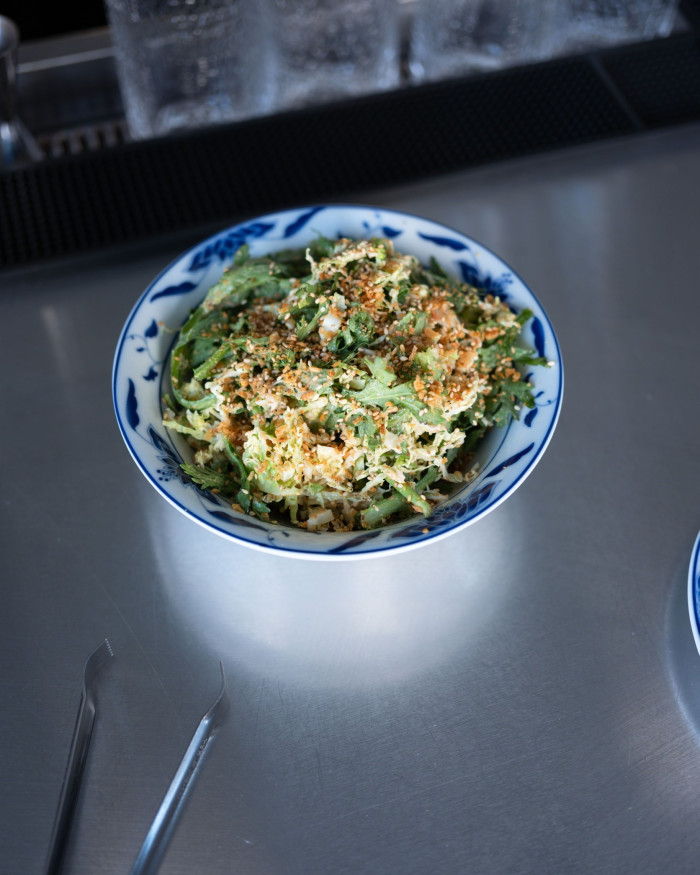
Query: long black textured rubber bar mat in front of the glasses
{"type": "Point", "coordinates": [76, 204]}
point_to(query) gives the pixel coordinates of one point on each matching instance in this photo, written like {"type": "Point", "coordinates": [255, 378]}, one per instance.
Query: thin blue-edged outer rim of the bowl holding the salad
{"type": "Point", "coordinates": [377, 550]}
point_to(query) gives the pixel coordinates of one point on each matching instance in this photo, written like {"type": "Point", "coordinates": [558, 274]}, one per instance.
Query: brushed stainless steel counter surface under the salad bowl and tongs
{"type": "Point", "coordinates": [521, 697]}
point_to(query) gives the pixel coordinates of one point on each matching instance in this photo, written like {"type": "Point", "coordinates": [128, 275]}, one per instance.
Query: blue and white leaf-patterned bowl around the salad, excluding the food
{"type": "Point", "coordinates": [505, 456]}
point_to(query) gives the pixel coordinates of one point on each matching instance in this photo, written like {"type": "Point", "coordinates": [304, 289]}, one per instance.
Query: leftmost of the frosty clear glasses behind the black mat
{"type": "Point", "coordinates": [188, 63]}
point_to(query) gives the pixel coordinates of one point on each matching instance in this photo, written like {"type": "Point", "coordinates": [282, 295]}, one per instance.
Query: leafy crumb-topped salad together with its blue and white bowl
{"type": "Point", "coordinates": [337, 381]}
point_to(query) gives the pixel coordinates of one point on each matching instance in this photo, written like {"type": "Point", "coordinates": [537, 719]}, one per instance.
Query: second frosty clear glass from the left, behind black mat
{"type": "Point", "coordinates": [329, 49]}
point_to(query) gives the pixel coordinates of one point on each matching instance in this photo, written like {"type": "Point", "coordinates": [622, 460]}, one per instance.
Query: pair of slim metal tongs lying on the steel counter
{"type": "Point", "coordinates": [154, 845]}
